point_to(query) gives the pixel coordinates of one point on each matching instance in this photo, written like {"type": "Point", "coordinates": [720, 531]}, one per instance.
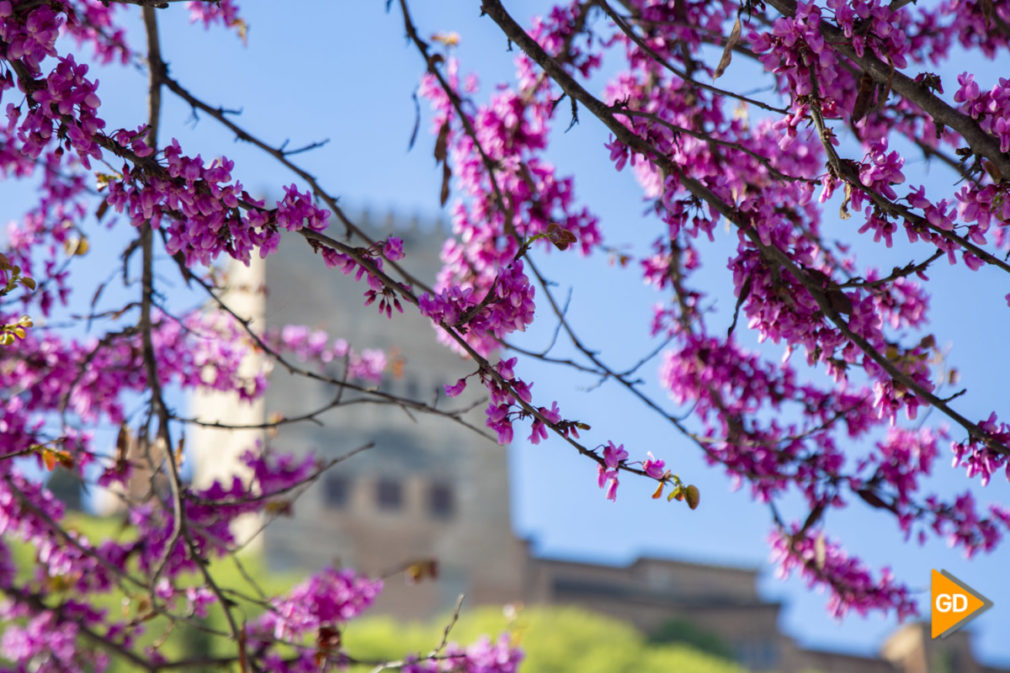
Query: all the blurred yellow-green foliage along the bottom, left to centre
{"type": "Point", "coordinates": [556, 640]}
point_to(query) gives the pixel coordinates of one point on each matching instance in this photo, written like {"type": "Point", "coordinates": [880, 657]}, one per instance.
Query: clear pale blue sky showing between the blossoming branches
{"type": "Point", "coordinates": [344, 71]}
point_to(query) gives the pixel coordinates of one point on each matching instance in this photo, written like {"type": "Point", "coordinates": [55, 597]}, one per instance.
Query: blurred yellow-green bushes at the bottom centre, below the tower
{"type": "Point", "coordinates": [556, 640]}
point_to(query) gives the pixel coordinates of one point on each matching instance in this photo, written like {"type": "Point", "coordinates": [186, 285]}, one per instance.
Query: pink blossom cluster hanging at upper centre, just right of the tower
{"type": "Point", "coordinates": [514, 199]}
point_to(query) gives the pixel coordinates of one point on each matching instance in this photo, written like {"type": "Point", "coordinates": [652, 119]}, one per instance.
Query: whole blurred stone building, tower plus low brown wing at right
{"type": "Point", "coordinates": [431, 490]}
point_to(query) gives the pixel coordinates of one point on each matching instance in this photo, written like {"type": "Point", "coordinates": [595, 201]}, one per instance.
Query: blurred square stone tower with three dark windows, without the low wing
{"type": "Point", "coordinates": [429, 490]}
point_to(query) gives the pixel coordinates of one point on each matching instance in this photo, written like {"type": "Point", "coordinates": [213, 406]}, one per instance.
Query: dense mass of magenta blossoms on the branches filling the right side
{"type": "Point", "coordinates": [771, 424]}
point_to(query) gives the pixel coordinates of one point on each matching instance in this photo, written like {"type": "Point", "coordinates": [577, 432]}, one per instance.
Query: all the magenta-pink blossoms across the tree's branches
{"type": "Point", "coordinates": [830, 426]}
